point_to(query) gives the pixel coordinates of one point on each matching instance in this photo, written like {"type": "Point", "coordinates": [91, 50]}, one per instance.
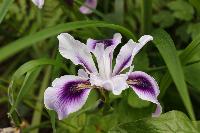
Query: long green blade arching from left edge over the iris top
{"type": "Point", "coordinates": [20, 44]}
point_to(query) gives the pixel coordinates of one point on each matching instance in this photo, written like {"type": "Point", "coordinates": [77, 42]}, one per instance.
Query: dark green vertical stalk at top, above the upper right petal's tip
{"type": "Point", "coordinates": [146, 13]}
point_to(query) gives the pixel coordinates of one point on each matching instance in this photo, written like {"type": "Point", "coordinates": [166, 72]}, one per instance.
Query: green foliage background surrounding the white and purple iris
{"type": "Point", "coordinates": [29, 61]}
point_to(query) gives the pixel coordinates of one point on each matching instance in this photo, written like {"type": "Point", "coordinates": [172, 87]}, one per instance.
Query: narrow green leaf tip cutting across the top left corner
{"type": "Point", "coordinates": [4, 8]}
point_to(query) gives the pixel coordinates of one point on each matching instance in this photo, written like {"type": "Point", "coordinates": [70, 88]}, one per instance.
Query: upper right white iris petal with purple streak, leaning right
{"type": "Point", "coordinates": [127, 53]}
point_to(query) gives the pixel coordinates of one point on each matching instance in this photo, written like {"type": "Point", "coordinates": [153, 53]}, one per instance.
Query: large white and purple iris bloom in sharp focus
{"type": "Point", "coordinates": [69, 93]}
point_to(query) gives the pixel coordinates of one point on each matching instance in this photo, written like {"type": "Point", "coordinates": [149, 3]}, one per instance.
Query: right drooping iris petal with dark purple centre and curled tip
{"type": "Point", "coordinates": [145, 87]}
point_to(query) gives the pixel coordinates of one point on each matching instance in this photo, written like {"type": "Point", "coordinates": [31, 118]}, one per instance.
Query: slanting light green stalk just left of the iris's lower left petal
{"type": "Point", "coordinates": [39, 105]}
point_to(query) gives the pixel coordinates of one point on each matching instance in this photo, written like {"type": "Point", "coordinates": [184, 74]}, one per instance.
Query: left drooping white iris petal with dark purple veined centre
{"type": "Point", "coordinates": [67, 95]}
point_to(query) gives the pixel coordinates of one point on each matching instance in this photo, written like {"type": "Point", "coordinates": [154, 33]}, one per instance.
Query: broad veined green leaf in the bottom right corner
{"type": "Point", "coordinates": [171, 122]}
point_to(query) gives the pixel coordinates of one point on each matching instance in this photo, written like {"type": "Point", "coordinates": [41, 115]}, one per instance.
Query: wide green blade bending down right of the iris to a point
{"type": "Point", "coordinates": [167, 49]}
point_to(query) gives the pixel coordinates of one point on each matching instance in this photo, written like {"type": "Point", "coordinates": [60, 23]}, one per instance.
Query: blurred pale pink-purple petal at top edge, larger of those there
{"type": "Point", "coordinates": [92, 4]}
